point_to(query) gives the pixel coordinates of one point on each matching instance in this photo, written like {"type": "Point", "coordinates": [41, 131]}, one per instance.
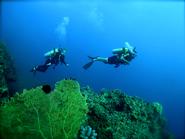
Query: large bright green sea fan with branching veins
{"type": "Point", "coordinates": [37, 114]}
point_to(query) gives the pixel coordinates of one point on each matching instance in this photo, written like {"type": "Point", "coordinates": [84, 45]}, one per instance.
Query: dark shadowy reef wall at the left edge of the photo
{"type": "Point", "coordinates": [7, 71]}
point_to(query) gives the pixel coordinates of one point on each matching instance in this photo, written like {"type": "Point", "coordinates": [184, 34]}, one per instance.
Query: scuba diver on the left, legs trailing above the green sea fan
{"type": "Point", "coordinates": [53, 58]}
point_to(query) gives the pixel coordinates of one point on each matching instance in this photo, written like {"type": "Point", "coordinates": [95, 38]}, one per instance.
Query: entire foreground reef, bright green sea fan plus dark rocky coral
{"type": "Point", "coordinates": [58, 114]}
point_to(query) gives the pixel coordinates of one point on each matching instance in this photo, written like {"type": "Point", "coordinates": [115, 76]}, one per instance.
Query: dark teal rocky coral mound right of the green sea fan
{"type": "Point", "coordinates": [115, 115]}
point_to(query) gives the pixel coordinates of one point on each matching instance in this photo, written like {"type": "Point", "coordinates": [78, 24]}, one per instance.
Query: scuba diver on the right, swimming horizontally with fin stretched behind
{"type": "Point", "coordinates": [121, 56]}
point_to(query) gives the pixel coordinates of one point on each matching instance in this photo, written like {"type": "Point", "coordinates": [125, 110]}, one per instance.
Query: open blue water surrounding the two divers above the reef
{"type": "Point", "coordinates": [94, 28]}
